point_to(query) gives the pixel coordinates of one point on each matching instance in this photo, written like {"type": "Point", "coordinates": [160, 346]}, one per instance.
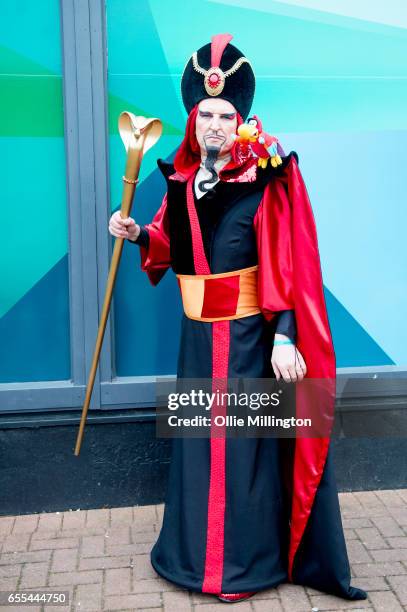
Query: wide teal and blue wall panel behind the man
{"type": "Point", "coordinates": [331, 84]}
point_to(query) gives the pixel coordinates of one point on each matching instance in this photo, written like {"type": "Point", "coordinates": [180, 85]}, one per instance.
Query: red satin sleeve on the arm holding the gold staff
{"type": "Point", "coordinates": [156, 259]}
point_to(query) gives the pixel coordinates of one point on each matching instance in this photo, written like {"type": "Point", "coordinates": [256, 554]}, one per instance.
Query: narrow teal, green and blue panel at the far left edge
{"type": "Point", "coordinates": [34, 295]}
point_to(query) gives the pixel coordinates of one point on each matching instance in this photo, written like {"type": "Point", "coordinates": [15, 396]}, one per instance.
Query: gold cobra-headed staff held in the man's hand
{"type": "Point", "coordinates": [138, 135]}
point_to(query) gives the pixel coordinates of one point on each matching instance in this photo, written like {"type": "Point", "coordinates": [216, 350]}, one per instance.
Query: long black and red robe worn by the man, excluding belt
{"type": "Point", "coordinates": [248, 514]}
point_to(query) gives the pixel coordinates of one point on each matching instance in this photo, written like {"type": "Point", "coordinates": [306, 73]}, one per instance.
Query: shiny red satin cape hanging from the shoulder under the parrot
{"type": "Point", "coordinates": [290, 277]}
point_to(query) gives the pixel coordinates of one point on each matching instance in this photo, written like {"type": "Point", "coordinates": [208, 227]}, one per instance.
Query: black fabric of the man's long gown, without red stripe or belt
{"type": "Point", "coordinates": [257, 471]}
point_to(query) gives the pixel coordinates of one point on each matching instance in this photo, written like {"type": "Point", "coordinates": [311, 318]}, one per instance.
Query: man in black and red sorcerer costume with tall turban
{"type": "Point", "coordinates": [246, 514]}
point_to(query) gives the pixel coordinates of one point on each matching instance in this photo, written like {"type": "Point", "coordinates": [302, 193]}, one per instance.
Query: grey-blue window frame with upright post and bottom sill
{"type": "Point", "coordinates": [84, 53]}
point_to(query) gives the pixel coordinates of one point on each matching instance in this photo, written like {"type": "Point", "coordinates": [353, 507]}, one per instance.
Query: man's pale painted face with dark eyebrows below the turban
{"type": "Point", "coordinates": [216, 124]}
